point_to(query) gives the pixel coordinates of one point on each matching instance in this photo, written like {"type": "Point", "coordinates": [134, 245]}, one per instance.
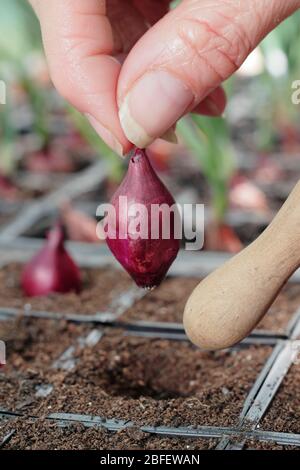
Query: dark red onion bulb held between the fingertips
{"type": "Point", "coordinates": [147, 261]}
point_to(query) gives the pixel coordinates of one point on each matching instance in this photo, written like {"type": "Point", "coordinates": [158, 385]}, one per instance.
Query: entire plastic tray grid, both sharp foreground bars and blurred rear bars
{"type": "Point", "coordinates": [260, 396]}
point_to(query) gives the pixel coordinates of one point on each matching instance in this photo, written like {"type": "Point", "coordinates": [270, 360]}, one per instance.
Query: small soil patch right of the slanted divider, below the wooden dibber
{"type": "Point", "coordinates": [284, 412]}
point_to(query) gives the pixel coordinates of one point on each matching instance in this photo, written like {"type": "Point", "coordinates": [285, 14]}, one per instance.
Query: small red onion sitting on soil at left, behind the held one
{"type": "Point", "coordinates": [52, 270]}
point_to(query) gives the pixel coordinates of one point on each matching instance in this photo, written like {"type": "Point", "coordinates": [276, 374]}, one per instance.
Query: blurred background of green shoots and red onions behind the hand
{"type": "Point", "coordinates": [242, 166]}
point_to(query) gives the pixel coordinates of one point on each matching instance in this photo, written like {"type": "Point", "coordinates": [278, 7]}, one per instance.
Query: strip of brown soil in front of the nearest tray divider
{"type": "Point", "coordinates": [46, 435]}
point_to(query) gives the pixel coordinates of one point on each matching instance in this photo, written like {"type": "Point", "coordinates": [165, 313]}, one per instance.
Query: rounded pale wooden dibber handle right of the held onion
{"type": "Point", "coordinates": [228, 304]}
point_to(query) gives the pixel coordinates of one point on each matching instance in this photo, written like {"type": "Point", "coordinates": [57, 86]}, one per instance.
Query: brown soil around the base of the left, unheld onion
{"type": "Point", "coordinates": [96, 295]}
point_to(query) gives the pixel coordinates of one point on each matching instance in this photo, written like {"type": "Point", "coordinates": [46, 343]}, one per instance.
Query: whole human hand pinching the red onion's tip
{"type": "Point", "coordinates": [134, 69]}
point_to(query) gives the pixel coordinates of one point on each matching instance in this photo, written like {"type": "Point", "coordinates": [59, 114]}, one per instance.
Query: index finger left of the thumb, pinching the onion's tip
{"type": "Point", "coordinates": [79, 44]}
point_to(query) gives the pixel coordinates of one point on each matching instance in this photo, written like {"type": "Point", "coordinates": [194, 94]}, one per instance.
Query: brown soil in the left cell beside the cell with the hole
{"type": "Point", "coordinates": [31, 348]}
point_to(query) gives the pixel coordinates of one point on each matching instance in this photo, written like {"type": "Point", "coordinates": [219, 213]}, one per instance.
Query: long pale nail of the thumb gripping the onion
{"type": "Point", "coordinates": [152, 106]}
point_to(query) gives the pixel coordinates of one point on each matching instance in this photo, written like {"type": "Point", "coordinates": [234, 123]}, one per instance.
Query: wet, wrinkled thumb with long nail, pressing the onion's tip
{"type": "Point", "coordinates": [186, 56]}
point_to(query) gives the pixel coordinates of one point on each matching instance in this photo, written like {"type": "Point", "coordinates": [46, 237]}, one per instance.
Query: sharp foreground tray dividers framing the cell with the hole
{"type": "Point", "coordinates": [230, 437]}
